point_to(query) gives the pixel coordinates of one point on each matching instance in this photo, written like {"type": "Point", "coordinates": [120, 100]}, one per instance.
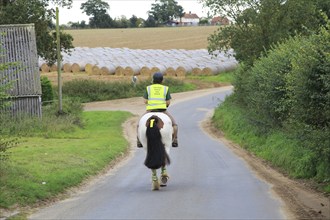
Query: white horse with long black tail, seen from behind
{"type": "Point", "coordinates": [155, 134]}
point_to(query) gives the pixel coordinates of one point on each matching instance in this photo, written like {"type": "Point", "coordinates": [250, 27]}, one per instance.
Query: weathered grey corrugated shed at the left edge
{"type": "Point", "coordinates": [18, 46]}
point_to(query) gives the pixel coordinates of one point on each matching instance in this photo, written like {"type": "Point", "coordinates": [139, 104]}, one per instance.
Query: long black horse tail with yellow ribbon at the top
{"type": "Point", "coordinates": [156, 153]}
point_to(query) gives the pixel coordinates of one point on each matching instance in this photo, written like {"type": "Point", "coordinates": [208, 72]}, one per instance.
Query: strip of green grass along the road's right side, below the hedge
{"type": "Point", "coordinates": [275, 146]}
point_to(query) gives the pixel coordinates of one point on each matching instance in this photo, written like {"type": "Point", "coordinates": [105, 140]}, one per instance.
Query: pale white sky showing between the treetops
{"type": "Point", "coordinates": [127, 8]}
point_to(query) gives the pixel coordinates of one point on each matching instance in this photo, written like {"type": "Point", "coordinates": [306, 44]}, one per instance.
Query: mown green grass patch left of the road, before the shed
{"type": "Point", "coordinates": [42, 167]}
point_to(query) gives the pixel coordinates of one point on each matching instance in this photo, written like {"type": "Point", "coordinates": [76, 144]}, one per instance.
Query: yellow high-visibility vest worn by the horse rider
{"type": "Point", "coordinates": [156, 96]}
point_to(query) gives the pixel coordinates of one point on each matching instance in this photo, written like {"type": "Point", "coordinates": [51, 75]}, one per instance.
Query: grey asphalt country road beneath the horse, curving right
{"type": "Point", "coordinates": [208, 181]}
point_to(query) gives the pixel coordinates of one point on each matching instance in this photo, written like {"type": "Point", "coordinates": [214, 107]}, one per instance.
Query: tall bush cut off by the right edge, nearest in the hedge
{"type": "Point", "coordinates": [308, 85]}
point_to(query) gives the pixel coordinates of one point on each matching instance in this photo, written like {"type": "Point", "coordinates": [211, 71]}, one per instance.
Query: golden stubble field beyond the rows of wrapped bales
{"type": "Point", "coordinates": [189, 38]}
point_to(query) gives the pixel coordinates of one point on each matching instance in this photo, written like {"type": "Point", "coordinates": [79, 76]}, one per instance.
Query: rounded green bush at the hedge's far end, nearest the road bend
{"type": "Point", "coordinates": [263, 87]}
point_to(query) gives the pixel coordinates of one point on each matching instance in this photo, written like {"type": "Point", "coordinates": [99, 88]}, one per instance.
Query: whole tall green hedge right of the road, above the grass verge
{"type": "Point", "coordinates": [291, 82]}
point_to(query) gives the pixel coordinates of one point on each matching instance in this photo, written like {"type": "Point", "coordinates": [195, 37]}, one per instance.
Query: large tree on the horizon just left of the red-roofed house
{"type": "Point", "coordinates": [164, 11]}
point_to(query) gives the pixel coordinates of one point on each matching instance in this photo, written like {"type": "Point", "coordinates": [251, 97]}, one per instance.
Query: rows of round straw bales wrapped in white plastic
{"type": "Point", "coordinates": [125, 61]}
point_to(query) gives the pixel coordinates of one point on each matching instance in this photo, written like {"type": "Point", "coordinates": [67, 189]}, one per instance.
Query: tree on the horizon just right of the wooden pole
{"type": "Point", "coordinates": [98, 10]}
